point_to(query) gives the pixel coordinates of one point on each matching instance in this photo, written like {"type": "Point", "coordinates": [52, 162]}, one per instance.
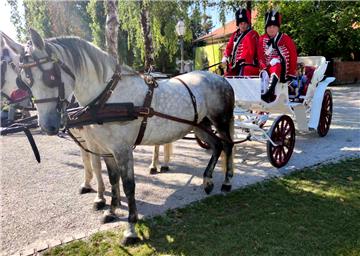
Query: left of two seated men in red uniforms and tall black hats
{"type": "Point", "coordinates": [240, 52]}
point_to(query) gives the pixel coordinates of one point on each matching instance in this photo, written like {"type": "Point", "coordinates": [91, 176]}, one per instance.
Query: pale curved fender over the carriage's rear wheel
{"type": "Point", "coordinates": [317, 102]}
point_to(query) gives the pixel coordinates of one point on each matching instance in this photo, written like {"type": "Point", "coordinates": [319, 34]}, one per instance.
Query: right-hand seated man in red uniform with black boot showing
{"type": "Point", "coordinates": [277, 55]}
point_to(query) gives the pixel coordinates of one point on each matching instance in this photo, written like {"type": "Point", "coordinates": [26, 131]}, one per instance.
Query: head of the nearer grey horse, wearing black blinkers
{"type": "Point", "coordinates": [49, 79]}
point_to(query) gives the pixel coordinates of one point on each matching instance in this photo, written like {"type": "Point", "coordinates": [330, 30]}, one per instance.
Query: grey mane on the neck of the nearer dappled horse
{"type": "Point", "coordinates": [76, 50]}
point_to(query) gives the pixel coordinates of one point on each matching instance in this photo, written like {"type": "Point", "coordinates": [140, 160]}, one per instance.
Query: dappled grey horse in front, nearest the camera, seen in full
{"type": "Point", "coordinates": [84, 70]}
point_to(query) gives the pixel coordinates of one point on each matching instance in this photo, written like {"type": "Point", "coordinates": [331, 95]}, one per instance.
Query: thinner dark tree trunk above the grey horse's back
{"type": "Point", "coordinates": [145, 25]}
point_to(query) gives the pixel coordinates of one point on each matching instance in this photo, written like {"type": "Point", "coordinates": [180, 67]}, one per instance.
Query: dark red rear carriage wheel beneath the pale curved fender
{"type": "Point", "coordinates": [325, 114]}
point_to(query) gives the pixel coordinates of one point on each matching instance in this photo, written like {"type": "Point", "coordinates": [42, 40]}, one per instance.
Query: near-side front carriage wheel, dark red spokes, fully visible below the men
{"type": "Point", "coordinates": [282, 132]}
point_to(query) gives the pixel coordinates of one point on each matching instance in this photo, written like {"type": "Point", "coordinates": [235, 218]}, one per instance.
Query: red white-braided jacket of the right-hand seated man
{"type": "Point", "coordinates": [282, 47]}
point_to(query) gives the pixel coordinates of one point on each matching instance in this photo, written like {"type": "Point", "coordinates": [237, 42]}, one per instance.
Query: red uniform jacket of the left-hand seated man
{"type": "Point", "coordinates": [241, 48]}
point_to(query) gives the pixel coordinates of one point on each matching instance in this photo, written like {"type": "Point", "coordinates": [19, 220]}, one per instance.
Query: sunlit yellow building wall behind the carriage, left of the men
{"type": "Point", "coordinates": [208, 55]}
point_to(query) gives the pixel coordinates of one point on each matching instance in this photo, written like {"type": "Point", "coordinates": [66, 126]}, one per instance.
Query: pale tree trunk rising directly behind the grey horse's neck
{"type": "Point", "coordinates": [112, 28]}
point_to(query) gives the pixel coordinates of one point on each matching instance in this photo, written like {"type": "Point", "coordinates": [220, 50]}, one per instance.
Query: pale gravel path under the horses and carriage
{"type": "Point", "coordinates": [41, 206]}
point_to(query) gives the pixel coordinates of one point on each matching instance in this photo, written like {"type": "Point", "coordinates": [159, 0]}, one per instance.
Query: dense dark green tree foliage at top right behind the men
{"type": "Point", "coordinates": [325, 28]}
